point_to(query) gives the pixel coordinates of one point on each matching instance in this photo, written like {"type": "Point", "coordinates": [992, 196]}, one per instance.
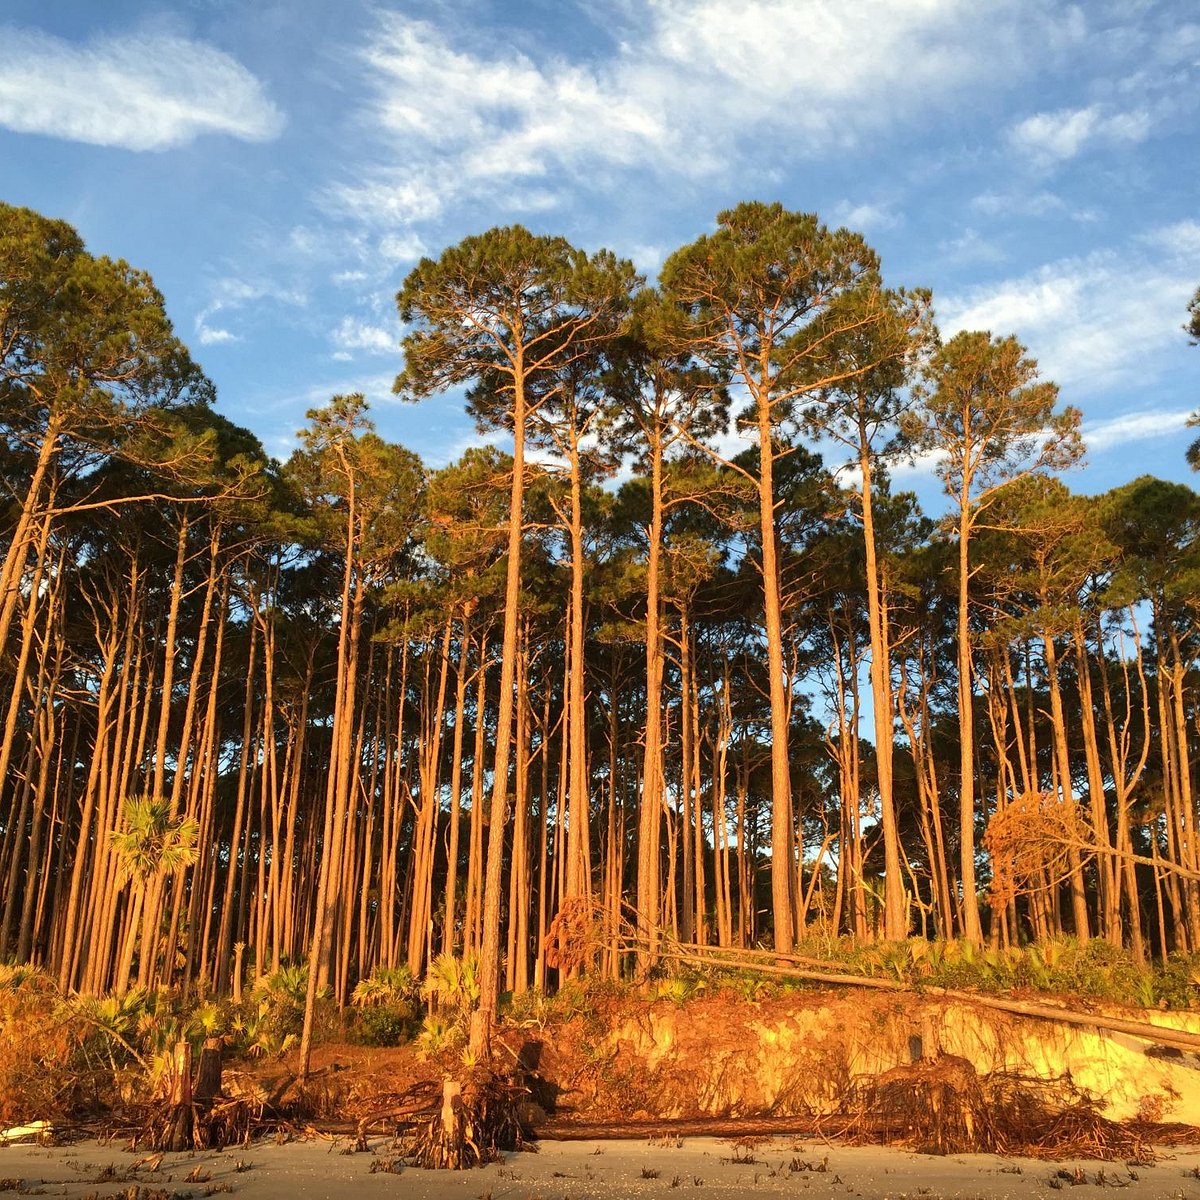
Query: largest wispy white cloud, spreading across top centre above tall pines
{"type": "Point", "coordinates": [691, 85]}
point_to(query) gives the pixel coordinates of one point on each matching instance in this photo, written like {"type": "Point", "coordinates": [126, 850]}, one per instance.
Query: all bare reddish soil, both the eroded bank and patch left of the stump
{"type": "Point", "coordinates": [871, 1067]}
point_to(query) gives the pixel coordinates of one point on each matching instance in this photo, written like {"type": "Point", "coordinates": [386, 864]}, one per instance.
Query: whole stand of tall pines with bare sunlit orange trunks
{"type": "Point", "coordinates": [682, 665]}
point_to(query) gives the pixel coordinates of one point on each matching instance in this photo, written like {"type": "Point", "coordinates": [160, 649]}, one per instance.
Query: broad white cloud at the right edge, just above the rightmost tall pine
{"type": "Point", "coordinates": [1091, 322]}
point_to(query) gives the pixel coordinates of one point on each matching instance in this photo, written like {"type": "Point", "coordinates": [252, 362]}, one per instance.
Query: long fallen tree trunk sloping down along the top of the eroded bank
{"type": "Point", "coordinates": [770, 963]}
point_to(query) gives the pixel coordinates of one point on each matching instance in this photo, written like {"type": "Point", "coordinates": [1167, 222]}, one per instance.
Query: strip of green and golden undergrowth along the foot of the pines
{"type": "Point", "coordinates": [71, 1054]}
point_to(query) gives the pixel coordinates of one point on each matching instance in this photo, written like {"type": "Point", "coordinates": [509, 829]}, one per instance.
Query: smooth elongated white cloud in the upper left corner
{"type": "Point", "coordinates": [136, 92]}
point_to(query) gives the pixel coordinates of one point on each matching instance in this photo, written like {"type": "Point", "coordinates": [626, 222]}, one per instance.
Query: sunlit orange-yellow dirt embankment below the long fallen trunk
{"type": "Point", "coordinates": [805, 1053]}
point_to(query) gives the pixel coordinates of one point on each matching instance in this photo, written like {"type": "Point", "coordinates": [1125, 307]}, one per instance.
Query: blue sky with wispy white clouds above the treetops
{"type": "Point", "coordinates": [279, 167]}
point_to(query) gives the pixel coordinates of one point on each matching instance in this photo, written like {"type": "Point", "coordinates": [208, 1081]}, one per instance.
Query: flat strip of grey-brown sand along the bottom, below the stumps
{"type": "Point", "coordinates": [698, 1169]}
